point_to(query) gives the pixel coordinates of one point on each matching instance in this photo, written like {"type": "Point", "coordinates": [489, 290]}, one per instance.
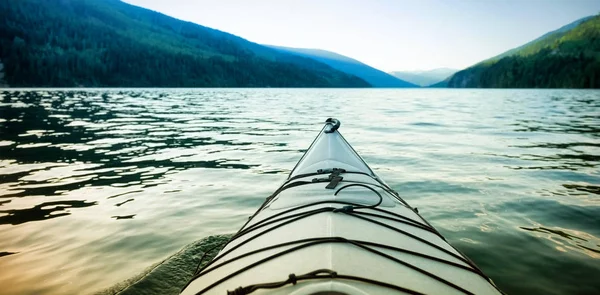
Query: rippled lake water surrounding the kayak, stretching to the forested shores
{"type": "Point", "coordinates": [97, 185]}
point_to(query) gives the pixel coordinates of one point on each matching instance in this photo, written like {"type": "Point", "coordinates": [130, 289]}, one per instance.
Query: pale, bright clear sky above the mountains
{"type": "Point", "coordinates": [391, 35]}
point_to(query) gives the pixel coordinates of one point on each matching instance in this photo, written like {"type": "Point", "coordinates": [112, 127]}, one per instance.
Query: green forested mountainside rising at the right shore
{"type": "Point", "coordinates": [565, 58]}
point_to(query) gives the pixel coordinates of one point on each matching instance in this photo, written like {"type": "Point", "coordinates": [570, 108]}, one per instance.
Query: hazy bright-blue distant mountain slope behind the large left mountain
{"type": "Point", "coordinates": [347, 65]}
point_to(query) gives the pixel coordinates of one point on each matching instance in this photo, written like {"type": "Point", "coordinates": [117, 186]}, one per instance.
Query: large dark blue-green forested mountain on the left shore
{"type": "Point", "coordinates": [109, 43]}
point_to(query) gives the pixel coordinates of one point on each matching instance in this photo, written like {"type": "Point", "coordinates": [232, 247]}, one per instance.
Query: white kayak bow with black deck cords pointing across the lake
{"type": "Point", "coordinates": [335, 227]}
